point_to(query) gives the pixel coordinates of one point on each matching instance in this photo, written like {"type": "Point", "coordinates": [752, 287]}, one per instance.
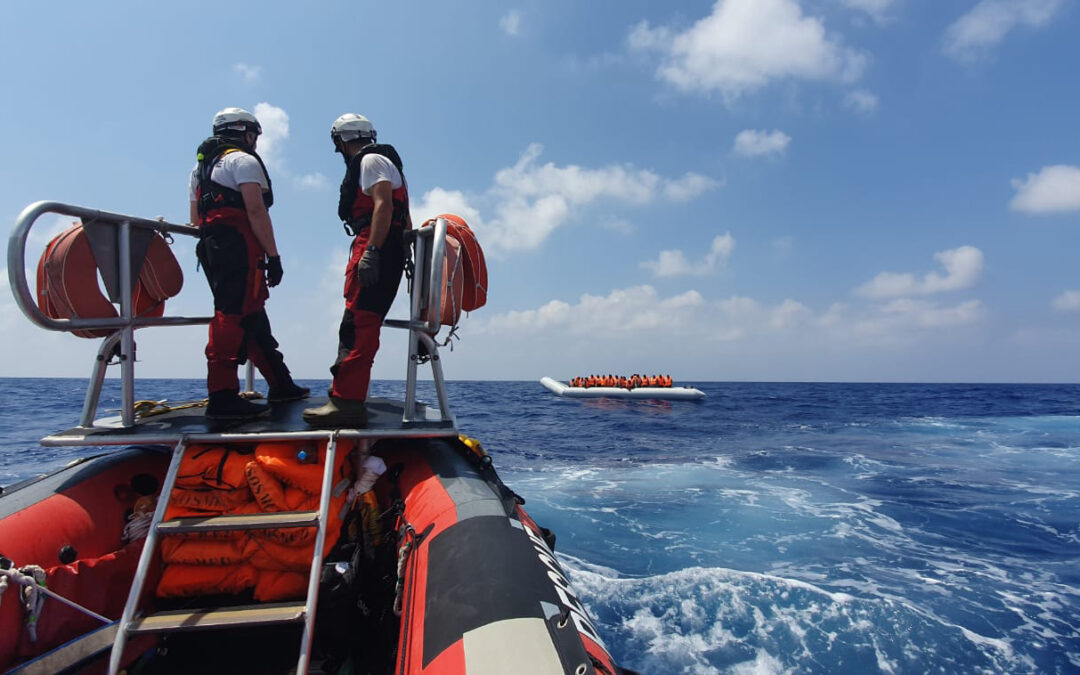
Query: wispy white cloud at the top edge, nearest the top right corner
{"type": "Point", "coordinates": [984, 26]}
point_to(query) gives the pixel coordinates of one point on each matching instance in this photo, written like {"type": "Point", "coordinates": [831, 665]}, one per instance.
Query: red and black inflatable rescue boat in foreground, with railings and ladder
{"type": "Point", "coordinates": [265, 546]}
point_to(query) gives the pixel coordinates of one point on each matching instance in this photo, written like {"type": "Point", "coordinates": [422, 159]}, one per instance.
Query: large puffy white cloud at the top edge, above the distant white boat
{"type": "Point", "coordinates": [745, 45]}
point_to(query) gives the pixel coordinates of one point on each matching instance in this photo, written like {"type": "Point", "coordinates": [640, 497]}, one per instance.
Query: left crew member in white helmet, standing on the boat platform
{"type": "Point", "coordinates": [231, 195]}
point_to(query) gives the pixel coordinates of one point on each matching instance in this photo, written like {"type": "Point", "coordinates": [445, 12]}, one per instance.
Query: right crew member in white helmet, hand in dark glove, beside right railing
{"type": "Point", "coordinates": [374, 207]}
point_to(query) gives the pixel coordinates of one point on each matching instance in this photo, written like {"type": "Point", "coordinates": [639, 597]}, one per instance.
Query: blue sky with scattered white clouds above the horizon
{"type": "Point", "coordinates": [869, 191]}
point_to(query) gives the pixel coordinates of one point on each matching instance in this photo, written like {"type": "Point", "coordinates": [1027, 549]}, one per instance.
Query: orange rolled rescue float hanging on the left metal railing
{"type": "Point", "coordinates": [69, 281]}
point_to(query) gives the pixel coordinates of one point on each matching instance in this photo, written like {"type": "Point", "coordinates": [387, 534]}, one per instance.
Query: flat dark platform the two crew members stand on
{"type": "Point", "coordinates": [285, 423]}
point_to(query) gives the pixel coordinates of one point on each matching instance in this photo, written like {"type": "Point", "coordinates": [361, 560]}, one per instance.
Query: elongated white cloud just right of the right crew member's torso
{"type": "Point", "coordinates": [531, 200]}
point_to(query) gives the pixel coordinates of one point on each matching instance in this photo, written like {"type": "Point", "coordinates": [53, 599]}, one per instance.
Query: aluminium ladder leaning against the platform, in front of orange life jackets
{"type": "Point", "coordinates": [133, 624]}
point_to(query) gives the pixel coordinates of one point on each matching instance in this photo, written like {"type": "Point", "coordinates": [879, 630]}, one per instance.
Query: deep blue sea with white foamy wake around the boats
{"type": "Point", "coordinates": [774, 528]}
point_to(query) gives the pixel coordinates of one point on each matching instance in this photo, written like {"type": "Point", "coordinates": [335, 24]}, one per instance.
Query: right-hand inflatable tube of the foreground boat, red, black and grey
{"type": "Point", "coordinates": [483, 590]}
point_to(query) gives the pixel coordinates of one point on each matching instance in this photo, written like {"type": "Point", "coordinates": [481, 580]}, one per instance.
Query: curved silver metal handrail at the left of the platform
{"type": "Point", "coordinates": [123, 328]}
